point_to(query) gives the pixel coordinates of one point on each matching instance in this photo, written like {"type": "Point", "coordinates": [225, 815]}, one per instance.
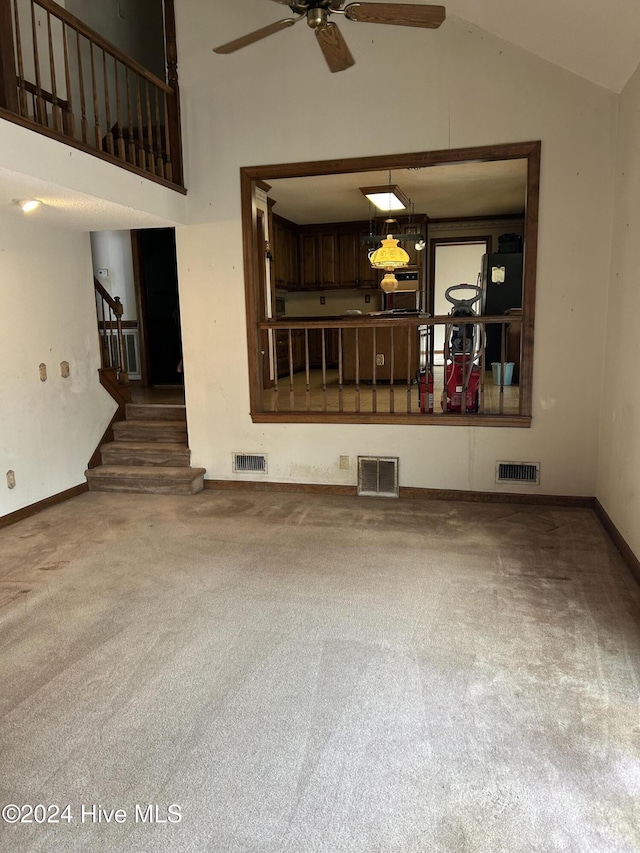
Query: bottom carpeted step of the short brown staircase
{"type": "Point", "coordinates": [148, 479]}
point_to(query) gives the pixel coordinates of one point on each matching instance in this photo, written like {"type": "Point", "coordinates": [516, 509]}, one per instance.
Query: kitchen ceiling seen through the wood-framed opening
{"type": "Point", "coordinates": [442, 192]}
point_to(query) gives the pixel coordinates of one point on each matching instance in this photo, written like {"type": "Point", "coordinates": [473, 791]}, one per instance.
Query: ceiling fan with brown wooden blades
{"type": "Point", "coordinates": [330, 39]}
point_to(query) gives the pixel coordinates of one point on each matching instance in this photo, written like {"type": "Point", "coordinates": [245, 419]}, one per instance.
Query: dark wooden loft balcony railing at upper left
{"type": "Point", "coordinates": [61, 78]}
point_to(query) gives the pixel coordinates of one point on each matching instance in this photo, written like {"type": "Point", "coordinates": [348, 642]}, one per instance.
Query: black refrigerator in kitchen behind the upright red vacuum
{"type": "Point", "coordinates": [502, 290]}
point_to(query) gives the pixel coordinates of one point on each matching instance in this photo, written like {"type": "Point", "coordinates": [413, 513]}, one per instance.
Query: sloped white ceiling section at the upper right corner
{"type": "Point", "coordinates": [597, 39]}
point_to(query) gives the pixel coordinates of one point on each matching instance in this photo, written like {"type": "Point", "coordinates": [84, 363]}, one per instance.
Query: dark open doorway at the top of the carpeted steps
{"type": "Point", "coordinates": [159, 309]}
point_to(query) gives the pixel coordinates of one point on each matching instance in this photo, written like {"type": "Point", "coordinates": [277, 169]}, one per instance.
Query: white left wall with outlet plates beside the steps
{"type": "Point", "coordinates": [48, 430]}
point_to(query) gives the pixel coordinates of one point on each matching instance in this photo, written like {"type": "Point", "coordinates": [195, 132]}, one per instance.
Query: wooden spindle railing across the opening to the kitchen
{"type": "Point", "coordinates": [386, 370]}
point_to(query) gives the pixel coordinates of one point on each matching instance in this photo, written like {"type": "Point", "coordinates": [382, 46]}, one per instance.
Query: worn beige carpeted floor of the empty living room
{"type": "Point", "coordinates": [313, 674]}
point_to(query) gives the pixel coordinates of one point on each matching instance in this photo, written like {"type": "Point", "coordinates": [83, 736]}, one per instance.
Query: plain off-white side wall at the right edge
{"type": "Point", "coordinates": [618, 486]}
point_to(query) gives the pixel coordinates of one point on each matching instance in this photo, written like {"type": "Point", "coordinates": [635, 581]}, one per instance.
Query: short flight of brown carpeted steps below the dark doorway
{"type": "Point", "coordinates": [149, 454]}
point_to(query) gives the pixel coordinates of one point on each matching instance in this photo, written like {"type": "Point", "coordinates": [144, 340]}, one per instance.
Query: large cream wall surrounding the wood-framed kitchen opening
{"type": "Point", "coordinates": [453, 87]}
